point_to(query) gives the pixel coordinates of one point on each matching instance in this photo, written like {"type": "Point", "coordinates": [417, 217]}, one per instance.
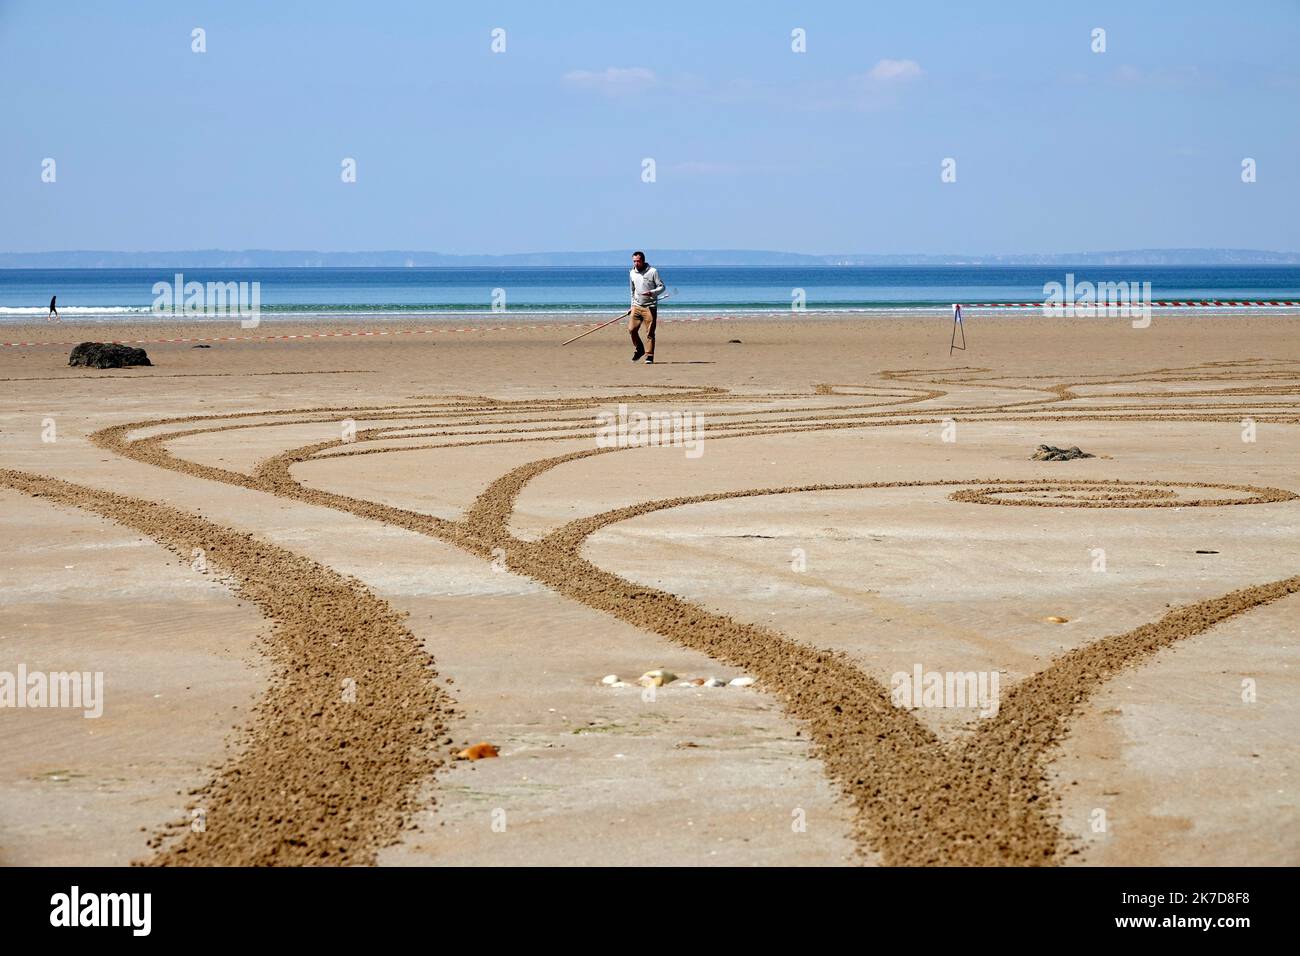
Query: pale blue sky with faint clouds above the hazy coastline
{"type": "Point", "coordinates": [541, 148]}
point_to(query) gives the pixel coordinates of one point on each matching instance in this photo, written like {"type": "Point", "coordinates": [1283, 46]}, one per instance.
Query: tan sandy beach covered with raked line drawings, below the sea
{"type": "Point", "coordinates": [313, 570]}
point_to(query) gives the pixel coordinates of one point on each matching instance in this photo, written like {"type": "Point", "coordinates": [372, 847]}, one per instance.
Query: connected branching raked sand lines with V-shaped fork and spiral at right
{"type": "Point", "coordinates": [981, 801]}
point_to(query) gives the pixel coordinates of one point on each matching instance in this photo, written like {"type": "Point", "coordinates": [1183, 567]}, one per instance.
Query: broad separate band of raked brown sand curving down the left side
{"type": "Point", "coordinates": [319, 780]}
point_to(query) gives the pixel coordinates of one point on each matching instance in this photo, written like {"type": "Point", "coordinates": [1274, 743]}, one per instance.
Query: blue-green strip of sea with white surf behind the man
{"type": "Point", "coordinates": [447, 293]}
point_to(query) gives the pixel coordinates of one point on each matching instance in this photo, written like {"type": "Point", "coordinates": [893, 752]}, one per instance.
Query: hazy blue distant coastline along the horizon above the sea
{"type": "Point", "coordinates": [253, 259]}
